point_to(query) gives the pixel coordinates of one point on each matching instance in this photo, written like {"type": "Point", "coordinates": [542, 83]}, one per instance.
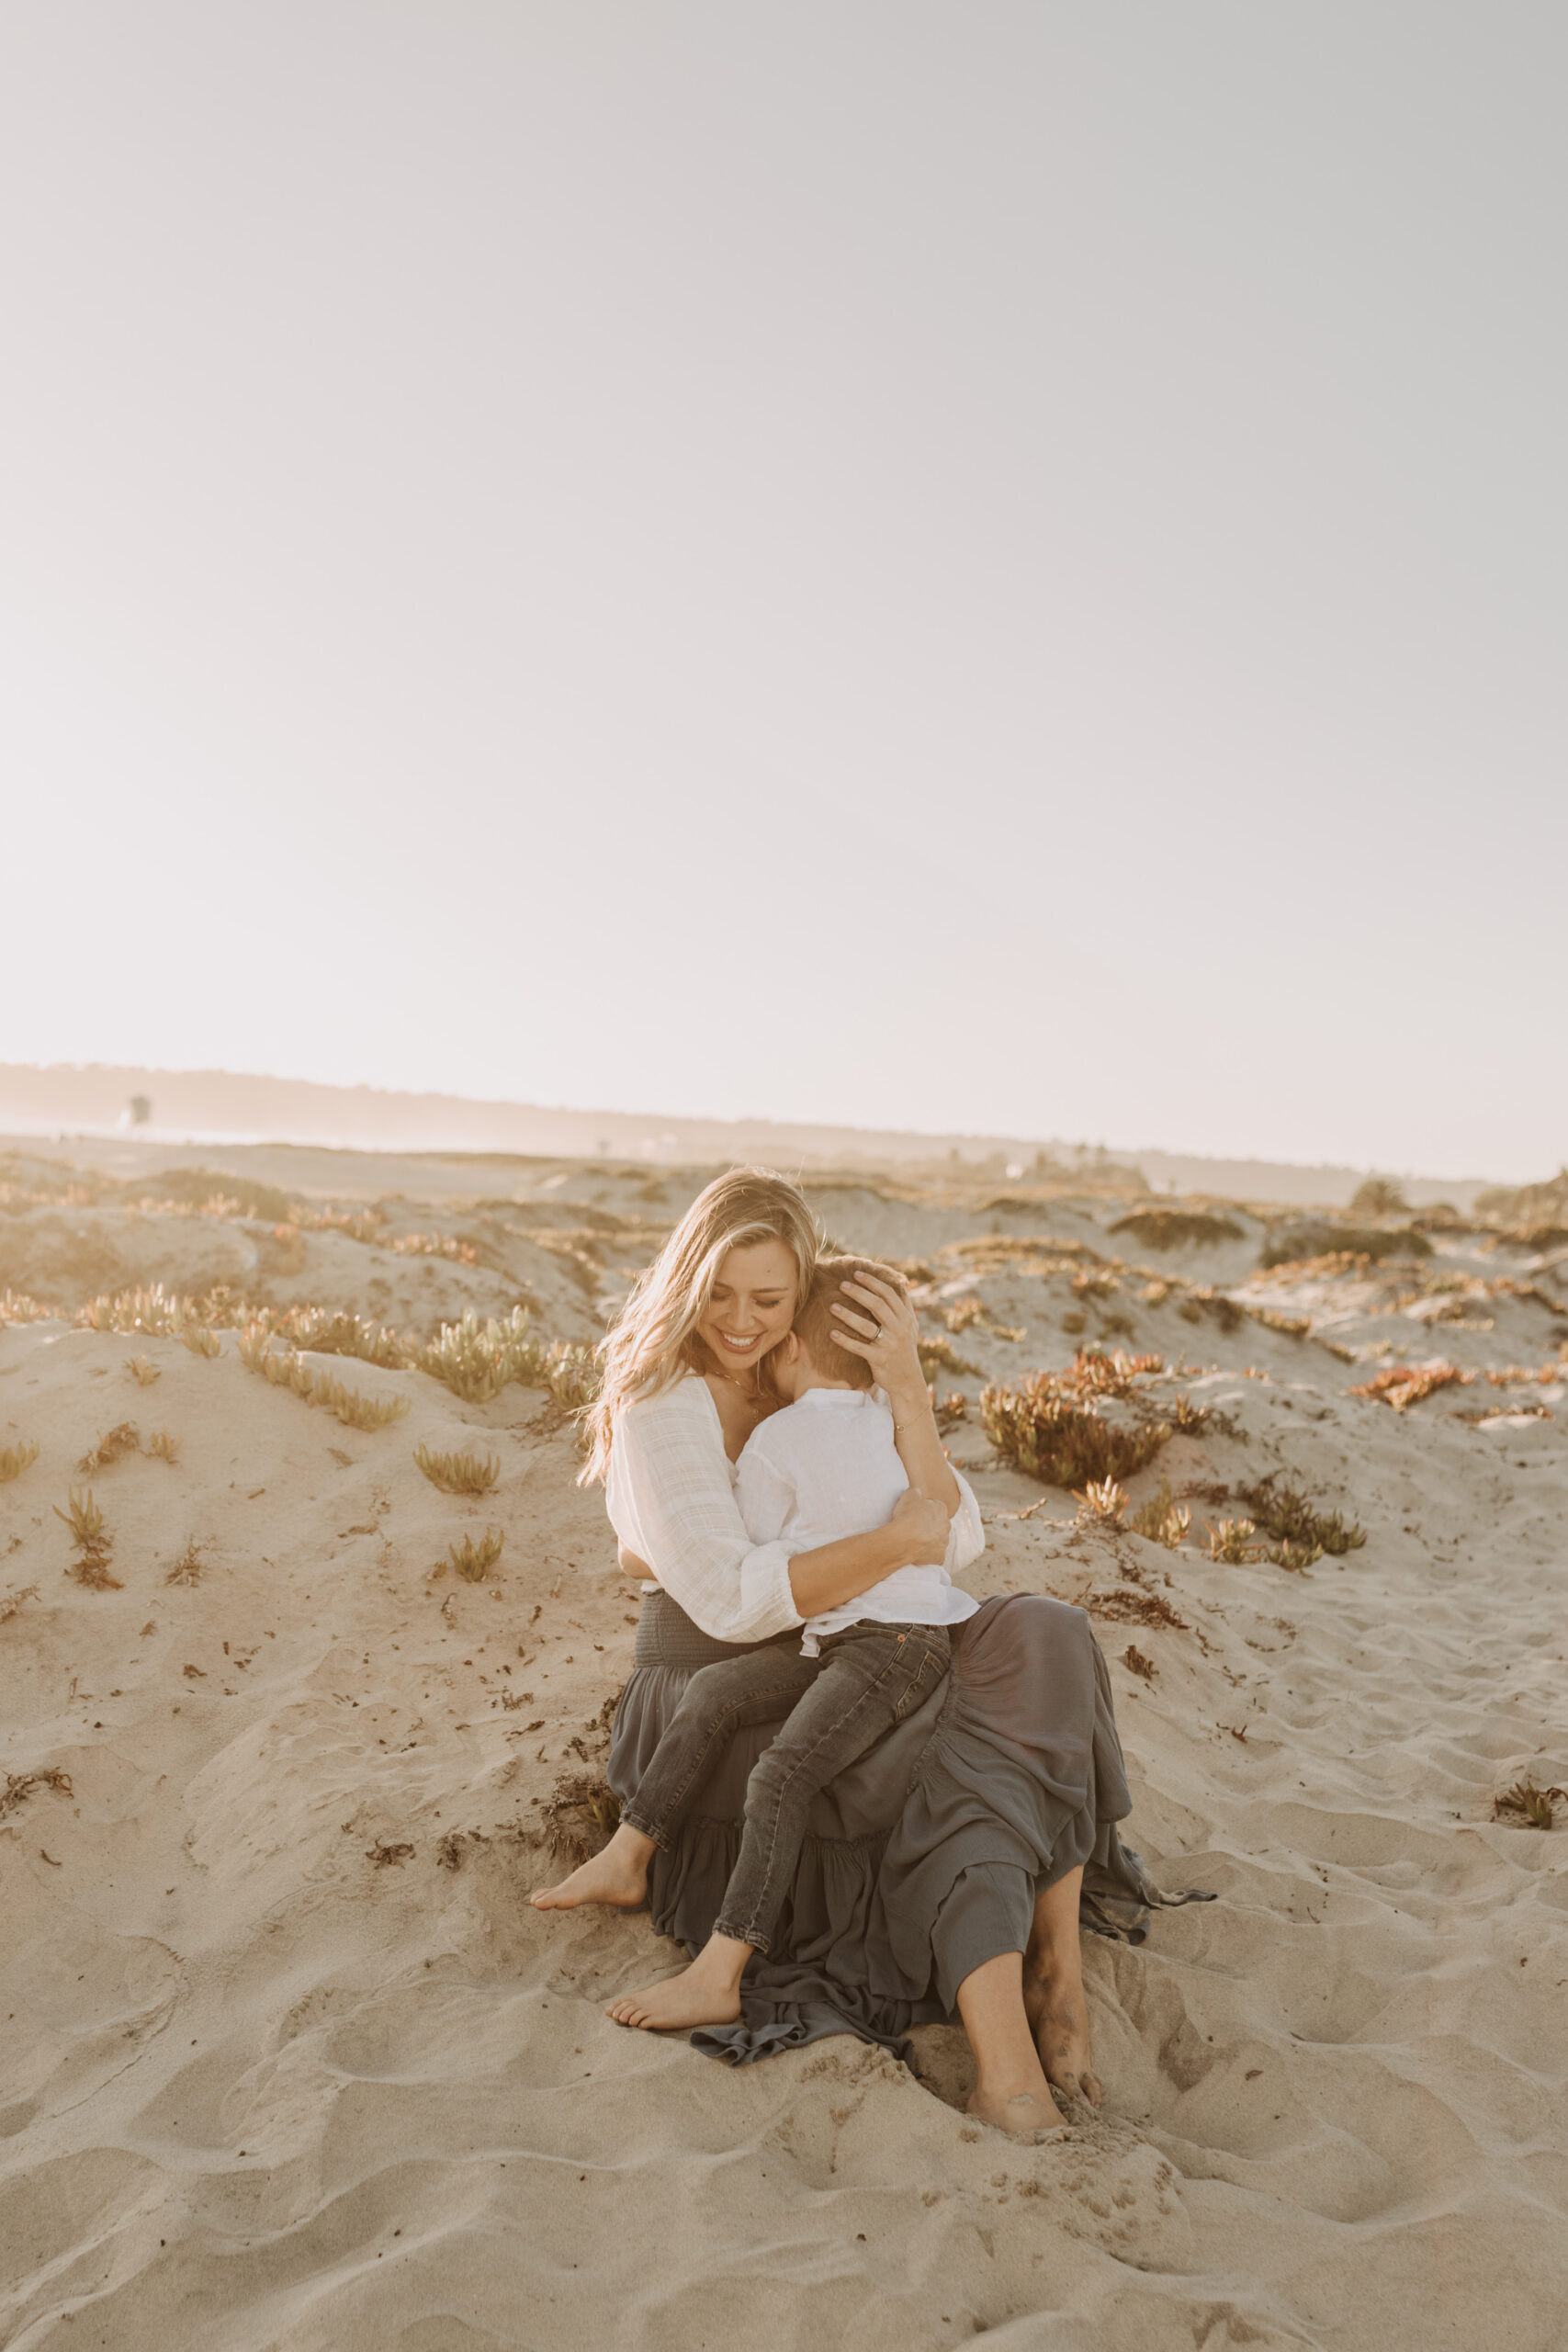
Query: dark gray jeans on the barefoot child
{"type": "Point", "coordinates": [833, 1711]}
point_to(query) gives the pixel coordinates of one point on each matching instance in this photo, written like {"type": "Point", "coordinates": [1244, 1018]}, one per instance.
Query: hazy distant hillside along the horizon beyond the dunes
{"type": "Point", "coordinates": [213, 1107]}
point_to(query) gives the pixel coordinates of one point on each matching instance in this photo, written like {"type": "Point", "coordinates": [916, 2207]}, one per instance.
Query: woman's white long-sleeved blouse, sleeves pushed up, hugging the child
{"type": "Point", "coordinates": [671, 1497]}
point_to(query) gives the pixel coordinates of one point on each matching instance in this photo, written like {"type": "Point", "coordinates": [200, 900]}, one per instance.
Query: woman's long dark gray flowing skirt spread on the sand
{"type": "Point", "coordinates": [925, 1859]}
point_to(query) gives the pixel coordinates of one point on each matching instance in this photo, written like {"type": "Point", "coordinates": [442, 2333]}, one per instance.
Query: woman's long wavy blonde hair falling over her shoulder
{"type": "Point", "coordinates": [655, 1344]}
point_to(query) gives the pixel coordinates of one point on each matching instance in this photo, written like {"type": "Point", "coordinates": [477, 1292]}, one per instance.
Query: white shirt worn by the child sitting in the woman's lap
{"type": "Point", "coordinates": [826, 1469]}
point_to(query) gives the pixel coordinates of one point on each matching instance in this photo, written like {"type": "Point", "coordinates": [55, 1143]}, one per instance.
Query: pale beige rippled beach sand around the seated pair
{"type": "Point", "coordinates": [290, 2062]}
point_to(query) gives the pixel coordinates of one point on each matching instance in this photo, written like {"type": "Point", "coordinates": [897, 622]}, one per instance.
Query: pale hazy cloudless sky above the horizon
{"type": "Point", "coordinates": [944, 566]}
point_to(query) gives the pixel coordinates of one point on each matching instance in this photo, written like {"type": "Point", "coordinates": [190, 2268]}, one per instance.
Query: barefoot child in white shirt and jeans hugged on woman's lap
{"type": "Point", "coordinates": [822, 1469]}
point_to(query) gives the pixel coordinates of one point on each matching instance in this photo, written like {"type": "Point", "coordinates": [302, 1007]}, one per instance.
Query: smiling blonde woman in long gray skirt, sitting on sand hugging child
{"type": "Point", "coordinates": [946, 1869]}
